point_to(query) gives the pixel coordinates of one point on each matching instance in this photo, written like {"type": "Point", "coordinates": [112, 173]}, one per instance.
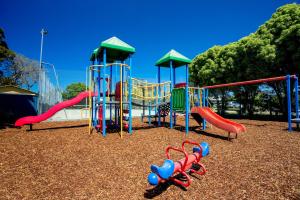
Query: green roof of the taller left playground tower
{"type": "Point", "coordinates": [116, 49]}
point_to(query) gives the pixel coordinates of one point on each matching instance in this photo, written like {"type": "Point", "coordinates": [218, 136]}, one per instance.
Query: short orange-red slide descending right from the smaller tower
{"type": "Point", "coordinates": [217, 120]}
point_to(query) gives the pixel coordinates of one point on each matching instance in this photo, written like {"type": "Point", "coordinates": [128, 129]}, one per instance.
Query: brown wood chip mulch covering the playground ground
{"type": "Point", "coordinates": [60, 160]}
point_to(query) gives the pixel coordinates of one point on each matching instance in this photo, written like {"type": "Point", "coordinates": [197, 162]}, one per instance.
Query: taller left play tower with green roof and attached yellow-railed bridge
{"type": "Point", "coordinates": [128, 91]}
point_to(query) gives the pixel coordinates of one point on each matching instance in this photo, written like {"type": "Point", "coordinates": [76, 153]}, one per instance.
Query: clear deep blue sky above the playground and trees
{"type": "Point", "coordinates": [153, 27]}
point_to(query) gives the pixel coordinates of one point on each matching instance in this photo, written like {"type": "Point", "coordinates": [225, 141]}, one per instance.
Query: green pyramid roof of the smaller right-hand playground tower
{"type": "Point", "coordinates": [177, 58]}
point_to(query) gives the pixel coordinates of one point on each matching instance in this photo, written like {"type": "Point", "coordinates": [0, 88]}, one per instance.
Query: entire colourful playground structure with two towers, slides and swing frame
{"type": "Point", "coordinates": [112, 86]}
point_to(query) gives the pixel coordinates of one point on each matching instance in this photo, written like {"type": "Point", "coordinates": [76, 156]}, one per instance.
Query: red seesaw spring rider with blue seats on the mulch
{"type": "Point", "coordinates": [170, 168]}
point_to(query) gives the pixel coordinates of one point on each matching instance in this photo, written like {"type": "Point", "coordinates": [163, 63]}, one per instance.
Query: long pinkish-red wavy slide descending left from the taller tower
{"type": "Point", "coordinates": [36, 119]}
